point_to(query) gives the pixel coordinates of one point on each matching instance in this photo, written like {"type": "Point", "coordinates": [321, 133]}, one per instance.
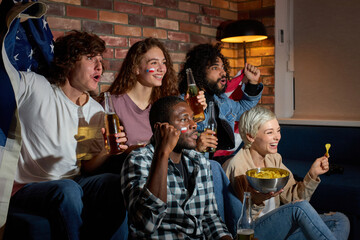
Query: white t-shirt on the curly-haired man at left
{"type": "Point", "coordinates": [56, 133]}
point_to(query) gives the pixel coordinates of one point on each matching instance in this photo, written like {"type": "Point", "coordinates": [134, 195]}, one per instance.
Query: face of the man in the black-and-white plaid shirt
{"type": "Point", "coordinates": [182, 117]}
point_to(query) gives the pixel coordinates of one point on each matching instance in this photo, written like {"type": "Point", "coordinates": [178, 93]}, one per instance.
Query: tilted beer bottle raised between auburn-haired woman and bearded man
{"type": "Point", "coordinates": [193, 91]}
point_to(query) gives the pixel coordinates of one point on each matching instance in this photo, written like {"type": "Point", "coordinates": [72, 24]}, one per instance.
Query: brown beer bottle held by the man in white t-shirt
{"type": "Point", "coordinates": [112, 126]}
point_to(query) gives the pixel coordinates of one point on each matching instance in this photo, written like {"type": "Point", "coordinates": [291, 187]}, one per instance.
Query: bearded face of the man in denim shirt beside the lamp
{"type": "Point", "coordinates": [216, 77]}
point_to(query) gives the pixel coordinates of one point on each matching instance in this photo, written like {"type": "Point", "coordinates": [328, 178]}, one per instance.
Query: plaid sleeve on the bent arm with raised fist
{"type": "Point", "coordinates": [145, 210]}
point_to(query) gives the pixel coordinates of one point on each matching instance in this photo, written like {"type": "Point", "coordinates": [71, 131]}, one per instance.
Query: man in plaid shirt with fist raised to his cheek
{"type": "Point", "coordinates": [167, 186]}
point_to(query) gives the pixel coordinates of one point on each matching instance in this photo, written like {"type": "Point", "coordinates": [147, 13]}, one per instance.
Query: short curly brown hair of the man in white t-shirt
{"type": "Point", "coordinates": [68, 50]}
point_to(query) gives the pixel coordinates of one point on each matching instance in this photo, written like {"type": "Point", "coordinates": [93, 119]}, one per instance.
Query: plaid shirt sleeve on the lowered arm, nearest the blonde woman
{"type": "Point", "coordinates": [214, 227]}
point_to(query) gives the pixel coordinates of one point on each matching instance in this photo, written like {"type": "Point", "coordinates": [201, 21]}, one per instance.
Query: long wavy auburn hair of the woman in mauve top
{"type": "Point", "coordinates": [127, 77]}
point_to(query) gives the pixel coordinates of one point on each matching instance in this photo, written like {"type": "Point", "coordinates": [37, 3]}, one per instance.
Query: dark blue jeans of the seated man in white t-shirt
{"type": "Point", "coordinates": [84, 208]}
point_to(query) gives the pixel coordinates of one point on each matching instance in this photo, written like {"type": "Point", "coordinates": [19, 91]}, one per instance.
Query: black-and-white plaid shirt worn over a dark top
{"type": "Point", "coordinates": [186, 215]}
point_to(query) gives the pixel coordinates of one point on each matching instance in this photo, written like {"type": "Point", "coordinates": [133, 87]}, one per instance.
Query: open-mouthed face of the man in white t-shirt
{"type": "Point", "coordinates": [86, 73]}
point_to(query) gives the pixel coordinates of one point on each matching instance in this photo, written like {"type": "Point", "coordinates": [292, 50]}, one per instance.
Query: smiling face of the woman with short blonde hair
{"type": "Point", "coordinates": [267, 138]}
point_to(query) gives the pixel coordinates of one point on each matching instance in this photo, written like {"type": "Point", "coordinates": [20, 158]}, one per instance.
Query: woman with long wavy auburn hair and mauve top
{"type": "Point", "coordinates": [146, 75]}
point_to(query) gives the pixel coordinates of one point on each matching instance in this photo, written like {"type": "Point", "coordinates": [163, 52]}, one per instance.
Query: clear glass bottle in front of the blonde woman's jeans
{"type": "Point", "coordinates": [245, 225]}
